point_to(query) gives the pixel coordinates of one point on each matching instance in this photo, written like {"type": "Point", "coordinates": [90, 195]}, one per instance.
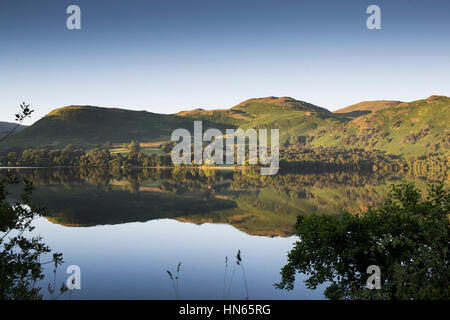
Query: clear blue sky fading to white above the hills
{"type": "Point", "coordinates": [170, 55]}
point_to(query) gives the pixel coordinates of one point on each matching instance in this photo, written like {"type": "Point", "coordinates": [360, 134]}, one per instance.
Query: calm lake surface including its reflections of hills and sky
{"type": "Point", "coordinates": [124, 232]}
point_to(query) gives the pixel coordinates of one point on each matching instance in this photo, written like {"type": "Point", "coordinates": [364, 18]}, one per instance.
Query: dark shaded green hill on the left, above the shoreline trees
{"type": "Point", "coordinates": [87, 126]}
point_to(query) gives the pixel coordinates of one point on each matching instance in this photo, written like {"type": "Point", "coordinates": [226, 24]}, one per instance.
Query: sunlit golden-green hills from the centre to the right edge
{"type": "Point", "coordinates": [395, 127]}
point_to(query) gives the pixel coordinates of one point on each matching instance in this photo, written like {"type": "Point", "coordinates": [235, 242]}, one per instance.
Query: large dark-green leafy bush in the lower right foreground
{"type": "Point", "coordinates": [406, 237]}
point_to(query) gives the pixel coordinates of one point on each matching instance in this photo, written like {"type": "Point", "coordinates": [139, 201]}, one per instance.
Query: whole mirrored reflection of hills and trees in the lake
{"type": "Point", "coordinates": [255, 204]}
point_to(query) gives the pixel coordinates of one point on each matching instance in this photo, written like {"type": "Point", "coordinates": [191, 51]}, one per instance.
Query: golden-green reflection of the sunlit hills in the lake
{"type": "Point", "coordinates": [273, 212]}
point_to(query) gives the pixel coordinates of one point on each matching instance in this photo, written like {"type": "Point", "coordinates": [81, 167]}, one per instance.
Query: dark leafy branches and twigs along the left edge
{"type": "Point", "coordinates": [20, 255]}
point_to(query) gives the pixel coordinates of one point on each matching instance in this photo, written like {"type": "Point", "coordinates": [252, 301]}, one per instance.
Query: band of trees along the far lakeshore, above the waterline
{"type": "Point", "coordinates": [296, 157]}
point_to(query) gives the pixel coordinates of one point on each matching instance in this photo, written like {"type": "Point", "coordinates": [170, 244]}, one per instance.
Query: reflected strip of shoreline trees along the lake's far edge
{"type": "Point", "coordinates": [181, 180]}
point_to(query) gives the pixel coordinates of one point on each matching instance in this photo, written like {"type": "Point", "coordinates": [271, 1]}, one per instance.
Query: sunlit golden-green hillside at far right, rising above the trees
{"type": "Point", "coordinates": [414, 128]}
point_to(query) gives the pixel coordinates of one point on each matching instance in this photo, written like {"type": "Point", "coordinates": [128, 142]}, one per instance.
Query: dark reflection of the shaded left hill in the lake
{"type": "Point", "coordinates": [88, 206]}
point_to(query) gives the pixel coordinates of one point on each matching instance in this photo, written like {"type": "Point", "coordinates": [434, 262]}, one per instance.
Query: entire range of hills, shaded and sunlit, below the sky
{"type": "Point", "coordinates": [402, 128]}
